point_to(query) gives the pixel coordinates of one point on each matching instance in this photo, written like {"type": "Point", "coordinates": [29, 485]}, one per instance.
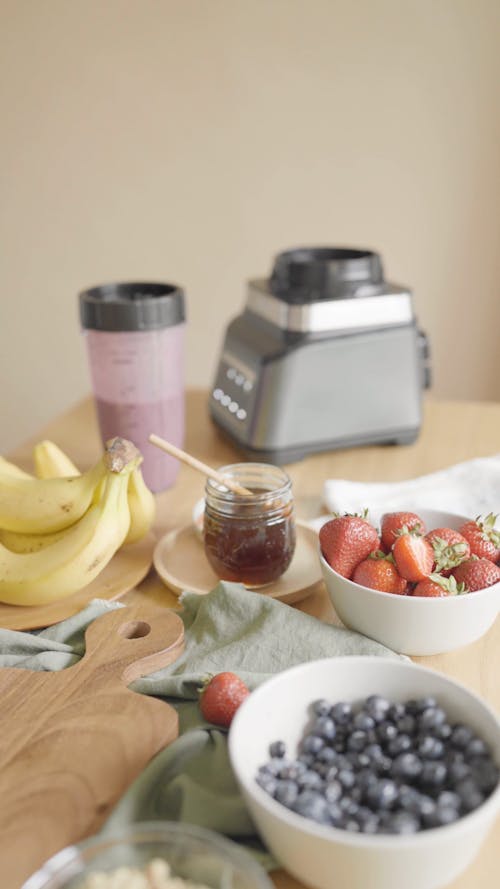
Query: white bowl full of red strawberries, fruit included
{"type": "Point", "coordinates": [421, 582]}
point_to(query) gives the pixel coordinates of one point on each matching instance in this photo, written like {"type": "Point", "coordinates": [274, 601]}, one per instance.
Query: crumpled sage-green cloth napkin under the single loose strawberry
{"type": "Point", "coordinates": [228, 629]}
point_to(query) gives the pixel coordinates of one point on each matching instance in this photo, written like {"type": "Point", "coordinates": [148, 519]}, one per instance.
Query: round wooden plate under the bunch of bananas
{"type": "Point", "coordinates": [125, 570]}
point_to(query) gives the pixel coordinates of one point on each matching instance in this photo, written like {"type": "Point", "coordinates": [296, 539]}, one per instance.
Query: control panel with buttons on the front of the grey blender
{"type": "Point", "coordinates": [233, 391]}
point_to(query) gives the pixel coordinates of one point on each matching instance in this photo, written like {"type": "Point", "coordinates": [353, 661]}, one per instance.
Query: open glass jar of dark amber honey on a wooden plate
{"type": "Point", "coordinates": [250, 538]}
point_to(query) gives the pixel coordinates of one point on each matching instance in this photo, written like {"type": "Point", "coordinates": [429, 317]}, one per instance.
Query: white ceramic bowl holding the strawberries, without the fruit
{"type": "Point", "coordinates": [411, 624]}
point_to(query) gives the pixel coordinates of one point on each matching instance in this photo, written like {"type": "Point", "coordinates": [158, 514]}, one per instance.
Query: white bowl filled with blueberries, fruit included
{"type": "Point", "coordinates": [368, 772]}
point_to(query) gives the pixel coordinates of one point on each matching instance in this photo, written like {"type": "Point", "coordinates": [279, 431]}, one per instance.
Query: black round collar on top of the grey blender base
{"type": "Point", "coordinates": [324, 273]}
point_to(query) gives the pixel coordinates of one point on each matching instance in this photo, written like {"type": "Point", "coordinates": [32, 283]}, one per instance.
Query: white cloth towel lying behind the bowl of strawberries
{"type": "Point", "coordinates": [470, 489]}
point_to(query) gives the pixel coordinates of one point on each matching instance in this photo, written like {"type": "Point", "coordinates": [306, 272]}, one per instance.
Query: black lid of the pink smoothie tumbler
{"type": "Point", "coordinates": [132, 306]}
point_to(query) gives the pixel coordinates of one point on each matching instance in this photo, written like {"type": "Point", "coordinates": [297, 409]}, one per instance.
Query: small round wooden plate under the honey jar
{"type": "Point", "coordinates": [180, 561]}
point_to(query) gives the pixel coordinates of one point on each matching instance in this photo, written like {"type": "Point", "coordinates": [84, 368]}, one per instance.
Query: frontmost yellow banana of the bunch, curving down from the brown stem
{"type": "Point", "coordinates": [73, 561]}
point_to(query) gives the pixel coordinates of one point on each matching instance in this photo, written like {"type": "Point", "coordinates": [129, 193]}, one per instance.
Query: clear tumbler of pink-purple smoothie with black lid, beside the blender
{"type": "Point", "coordinates": [138, 380]}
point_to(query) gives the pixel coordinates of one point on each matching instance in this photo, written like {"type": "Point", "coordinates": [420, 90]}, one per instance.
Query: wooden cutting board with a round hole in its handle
{"type": "Point", "coordinates": [72, 741]}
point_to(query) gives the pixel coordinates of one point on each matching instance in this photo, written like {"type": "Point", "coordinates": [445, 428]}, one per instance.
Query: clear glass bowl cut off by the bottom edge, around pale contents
{"type": "Point", "coordinates": [193, 853]}
